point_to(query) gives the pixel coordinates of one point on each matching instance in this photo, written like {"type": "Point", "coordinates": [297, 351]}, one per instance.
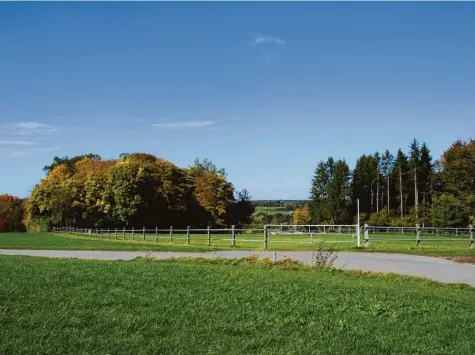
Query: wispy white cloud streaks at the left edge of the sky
{"type": "Point", "coordinates": [35, 138]}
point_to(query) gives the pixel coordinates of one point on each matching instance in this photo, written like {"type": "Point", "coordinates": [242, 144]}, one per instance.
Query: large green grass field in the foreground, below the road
{"type": "Point", "coordinates": [59, 306]}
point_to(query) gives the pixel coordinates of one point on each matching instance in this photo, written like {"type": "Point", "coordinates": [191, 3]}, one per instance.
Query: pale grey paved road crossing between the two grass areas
{"type": "Point", "coordinates": [435, 268]}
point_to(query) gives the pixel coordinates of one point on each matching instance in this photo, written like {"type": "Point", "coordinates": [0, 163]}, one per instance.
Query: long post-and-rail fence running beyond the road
{"type": "Point", "coordinates": [282, 234]}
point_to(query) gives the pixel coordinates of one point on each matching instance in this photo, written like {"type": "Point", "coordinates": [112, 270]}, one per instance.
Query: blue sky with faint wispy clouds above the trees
{"type": "Point", "coordinates": [265, 90]}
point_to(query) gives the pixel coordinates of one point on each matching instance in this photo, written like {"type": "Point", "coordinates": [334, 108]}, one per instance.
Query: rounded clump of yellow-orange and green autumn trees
{"type": "Point", "coordinates": [135, 190]}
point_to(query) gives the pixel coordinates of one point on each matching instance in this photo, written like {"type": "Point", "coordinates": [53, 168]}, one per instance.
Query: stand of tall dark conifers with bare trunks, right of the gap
{"type": "Point", "coordinates": [398, 189]}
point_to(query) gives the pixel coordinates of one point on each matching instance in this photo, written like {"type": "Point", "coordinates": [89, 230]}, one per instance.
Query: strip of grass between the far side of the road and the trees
{"type": "Point", "coordinates": [198, 242]}
